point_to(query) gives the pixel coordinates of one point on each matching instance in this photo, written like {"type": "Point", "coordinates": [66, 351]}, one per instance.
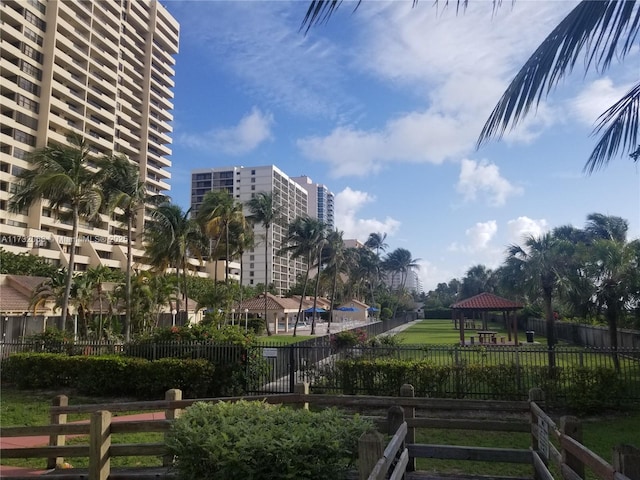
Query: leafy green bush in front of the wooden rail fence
{"type": "Point", "coordinates": [258, 441]}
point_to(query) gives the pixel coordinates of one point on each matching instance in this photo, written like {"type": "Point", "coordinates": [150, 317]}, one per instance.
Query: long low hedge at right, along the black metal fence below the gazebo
{"type": "Point", "coordinates": [581, 389]}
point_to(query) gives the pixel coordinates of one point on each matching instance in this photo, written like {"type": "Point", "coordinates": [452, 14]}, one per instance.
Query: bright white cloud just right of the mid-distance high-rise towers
{"type": "Point", "coordinates": [348, 203]}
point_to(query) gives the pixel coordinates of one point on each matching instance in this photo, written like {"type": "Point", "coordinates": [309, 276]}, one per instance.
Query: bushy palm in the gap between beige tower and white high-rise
{"type": "Point", "coordinates": [172, 238]}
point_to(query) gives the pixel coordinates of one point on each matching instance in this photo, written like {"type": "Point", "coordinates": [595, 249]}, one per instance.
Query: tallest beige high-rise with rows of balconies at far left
{"type": "Point", "coordinates": [100, 69]}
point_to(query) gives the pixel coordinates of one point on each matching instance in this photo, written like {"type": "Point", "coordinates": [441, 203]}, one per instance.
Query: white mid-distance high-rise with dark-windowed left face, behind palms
{"type": "Point", "coordinates": [243, 183]}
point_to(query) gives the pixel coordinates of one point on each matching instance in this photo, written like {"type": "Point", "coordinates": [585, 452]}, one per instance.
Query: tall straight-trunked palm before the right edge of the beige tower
{"type": "Point", "coordinates": [126, 193]}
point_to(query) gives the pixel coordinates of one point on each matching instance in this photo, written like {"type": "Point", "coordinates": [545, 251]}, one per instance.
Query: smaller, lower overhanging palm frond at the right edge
{"type": "Point", "coordinates": [619, 126]}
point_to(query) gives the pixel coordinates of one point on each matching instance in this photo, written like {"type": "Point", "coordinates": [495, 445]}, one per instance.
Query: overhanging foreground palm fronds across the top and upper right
{"type": "Point", "coordinates": [597, 31]}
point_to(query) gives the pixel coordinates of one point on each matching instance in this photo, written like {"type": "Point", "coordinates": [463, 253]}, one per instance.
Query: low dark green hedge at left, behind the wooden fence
{"type": "Point", "coordinates": [110, 375]}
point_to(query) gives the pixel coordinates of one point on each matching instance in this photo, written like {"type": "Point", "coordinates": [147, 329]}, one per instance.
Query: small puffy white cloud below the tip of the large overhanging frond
{"type": "Point", "coordinates": [483, 177]}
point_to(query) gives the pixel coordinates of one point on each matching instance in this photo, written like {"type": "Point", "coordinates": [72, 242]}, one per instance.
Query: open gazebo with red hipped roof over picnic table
{"type": "Point", "coordinates": [483, 303]}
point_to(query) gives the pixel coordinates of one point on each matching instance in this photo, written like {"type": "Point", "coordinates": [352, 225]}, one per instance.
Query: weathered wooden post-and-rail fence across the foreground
{"type": "Point", "coordinates": [551, 445]}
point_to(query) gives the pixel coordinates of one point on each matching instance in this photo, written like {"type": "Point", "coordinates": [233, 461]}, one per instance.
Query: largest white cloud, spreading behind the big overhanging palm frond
{"type": "Point", "coordinates": [427, 52]}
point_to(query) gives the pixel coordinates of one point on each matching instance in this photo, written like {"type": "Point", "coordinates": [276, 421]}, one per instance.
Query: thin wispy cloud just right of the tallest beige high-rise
{"type": "Point", "coordinates": [251, 131]}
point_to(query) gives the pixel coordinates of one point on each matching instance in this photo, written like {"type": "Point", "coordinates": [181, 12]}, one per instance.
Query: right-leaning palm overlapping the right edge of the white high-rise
{"type": "Point", "coordinates": [303, 236]}
